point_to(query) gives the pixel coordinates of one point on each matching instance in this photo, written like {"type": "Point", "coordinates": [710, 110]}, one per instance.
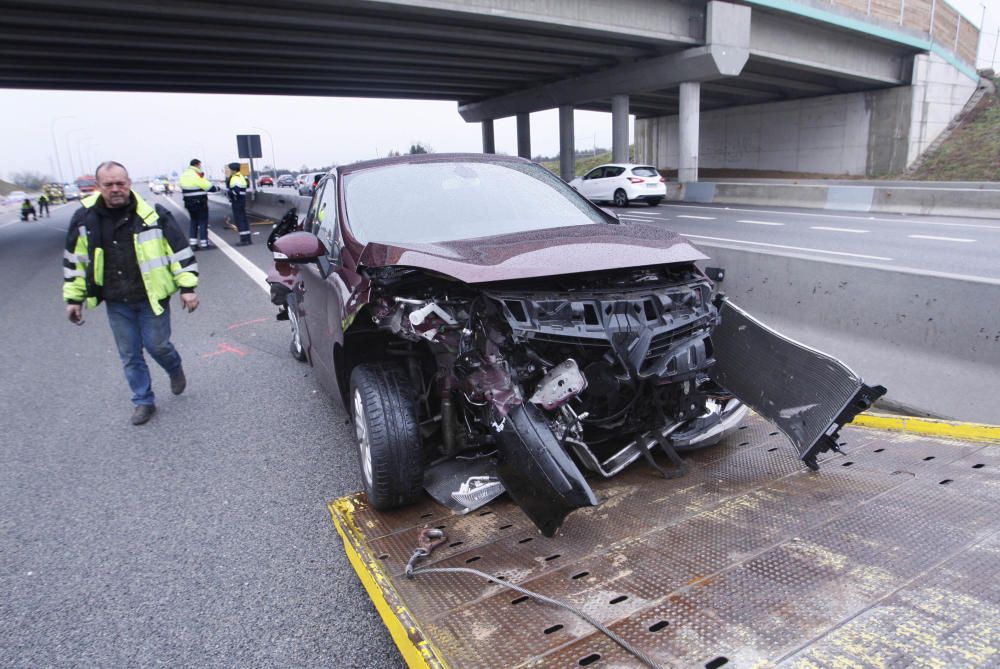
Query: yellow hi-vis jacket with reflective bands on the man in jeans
{"type": "Point", "coordinates": [163, 269]}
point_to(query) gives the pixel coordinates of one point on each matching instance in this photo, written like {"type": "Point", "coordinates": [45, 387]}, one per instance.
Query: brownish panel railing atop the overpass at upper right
{"type": "Point", "coordinates": [937, 18]}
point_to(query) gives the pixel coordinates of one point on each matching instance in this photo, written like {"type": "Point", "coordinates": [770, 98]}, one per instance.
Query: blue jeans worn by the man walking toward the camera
{"type": "Point", "coordinates": [135, 327]}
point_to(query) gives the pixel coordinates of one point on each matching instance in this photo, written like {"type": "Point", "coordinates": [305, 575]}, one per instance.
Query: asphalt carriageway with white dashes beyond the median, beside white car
{"type": "Point", "coordinates": [950, 245]}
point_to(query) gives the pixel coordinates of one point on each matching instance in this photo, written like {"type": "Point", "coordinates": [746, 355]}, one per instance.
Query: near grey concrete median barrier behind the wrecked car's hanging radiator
{"type": "Point", "coordinates": [933, 340]}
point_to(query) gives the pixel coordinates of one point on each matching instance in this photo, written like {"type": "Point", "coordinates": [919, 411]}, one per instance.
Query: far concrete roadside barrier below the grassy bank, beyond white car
{"type": "Point", "coordinates": [972, 200]}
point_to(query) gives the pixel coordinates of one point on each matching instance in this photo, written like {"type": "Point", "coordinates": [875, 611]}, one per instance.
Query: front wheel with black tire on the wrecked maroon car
{"type": "Point", "coordinates": [387, 434]}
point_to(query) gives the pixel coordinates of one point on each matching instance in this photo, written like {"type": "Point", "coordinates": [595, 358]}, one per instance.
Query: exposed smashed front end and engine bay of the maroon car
{"type": "Point", "coordinates": [601, 367]}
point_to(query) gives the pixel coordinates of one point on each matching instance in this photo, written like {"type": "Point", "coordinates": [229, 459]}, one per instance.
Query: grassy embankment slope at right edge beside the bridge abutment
{"type": "Point", "coordinates": [972, 153]}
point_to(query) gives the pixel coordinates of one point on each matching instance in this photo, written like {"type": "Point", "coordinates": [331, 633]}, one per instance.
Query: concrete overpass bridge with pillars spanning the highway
{"type": "Point", "coordinates": [771, 84]}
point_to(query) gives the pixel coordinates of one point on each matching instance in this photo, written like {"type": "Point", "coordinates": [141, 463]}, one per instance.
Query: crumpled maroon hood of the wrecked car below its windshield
{"type": "Point", "coordinates": [539, 253]}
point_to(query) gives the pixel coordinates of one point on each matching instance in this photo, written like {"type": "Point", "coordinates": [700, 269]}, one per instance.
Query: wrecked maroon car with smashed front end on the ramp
{"type": "Point", "coordinates": [491, 330]}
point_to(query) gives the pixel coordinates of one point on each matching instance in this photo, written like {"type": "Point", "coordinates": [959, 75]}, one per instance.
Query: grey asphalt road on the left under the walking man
{"type": "Point", "coordinates": [200, 539]}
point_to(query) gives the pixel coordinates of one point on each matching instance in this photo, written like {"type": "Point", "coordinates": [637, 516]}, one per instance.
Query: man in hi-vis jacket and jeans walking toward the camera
{"type": "Point", "coordinates": [133, 257]}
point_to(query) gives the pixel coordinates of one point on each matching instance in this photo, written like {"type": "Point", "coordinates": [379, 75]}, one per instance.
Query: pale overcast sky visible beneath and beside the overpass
{"type": "Point", "coordinates": [154, 133]}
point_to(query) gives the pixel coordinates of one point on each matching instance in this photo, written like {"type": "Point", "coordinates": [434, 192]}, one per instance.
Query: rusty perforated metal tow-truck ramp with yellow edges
{"type": "Point", "coordinates": [888, 556]}
